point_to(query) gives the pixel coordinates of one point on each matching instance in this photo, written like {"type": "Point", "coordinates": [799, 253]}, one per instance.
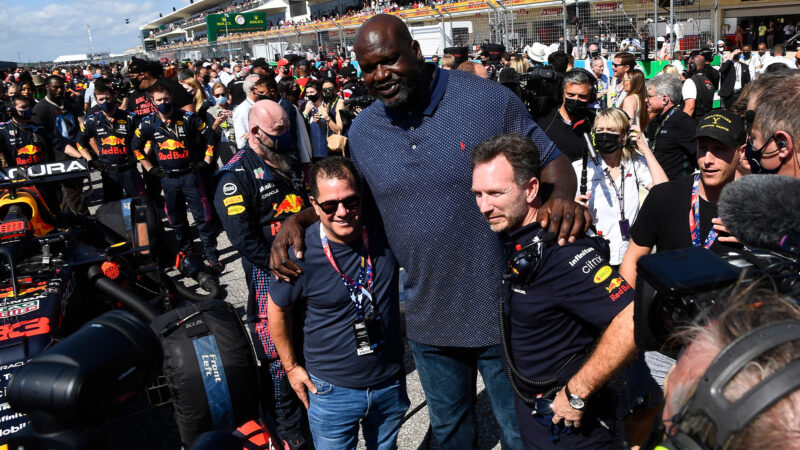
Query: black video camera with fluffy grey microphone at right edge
{"type": "Point", "coordinates": [687, 286]}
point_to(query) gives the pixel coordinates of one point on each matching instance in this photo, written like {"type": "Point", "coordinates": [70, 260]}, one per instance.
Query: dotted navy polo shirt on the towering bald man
{"type": "Point", "coordinates": [416, 163]}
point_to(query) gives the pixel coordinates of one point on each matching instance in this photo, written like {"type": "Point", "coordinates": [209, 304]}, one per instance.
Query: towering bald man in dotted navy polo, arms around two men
{"type": "Point", "coordinates": [413, 150]}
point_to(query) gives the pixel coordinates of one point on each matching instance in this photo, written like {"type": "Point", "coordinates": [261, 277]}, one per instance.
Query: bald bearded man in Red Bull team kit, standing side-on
{"type": "Point", "coordinates": [259, 188]}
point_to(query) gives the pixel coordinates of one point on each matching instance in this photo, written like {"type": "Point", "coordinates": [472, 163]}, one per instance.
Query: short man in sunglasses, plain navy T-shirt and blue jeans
{"type": "Point", "coordinates": [346, 378]}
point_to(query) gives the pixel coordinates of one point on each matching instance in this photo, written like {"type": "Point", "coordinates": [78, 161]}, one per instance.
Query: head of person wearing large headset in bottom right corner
{"type": "Point", "coordinates": [696, 416]}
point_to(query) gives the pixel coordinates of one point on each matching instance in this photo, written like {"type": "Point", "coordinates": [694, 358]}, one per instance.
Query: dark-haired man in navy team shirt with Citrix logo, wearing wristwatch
{"type": "Point", "coordinates": [560, 299]}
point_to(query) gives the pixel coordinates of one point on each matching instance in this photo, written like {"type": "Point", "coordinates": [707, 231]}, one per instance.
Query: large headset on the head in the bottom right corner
{"type": "Point", "coordinates": [731, 417]}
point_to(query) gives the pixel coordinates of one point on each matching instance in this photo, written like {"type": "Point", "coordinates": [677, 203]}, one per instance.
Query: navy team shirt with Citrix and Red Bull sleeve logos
{"type": "Point", "coordinates": [564, 309]}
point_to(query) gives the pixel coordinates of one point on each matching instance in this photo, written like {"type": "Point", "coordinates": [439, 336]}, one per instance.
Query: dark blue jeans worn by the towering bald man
{"type": "Point", "coordinates": [447, 377]}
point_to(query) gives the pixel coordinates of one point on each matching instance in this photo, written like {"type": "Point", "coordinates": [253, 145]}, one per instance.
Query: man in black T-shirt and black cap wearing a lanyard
{"type": "Point", "coordinates": [678, 214]}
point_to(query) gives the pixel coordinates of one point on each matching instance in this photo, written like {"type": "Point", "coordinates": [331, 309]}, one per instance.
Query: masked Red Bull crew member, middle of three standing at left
{"type": "Point", "coordinates": [113, 130]}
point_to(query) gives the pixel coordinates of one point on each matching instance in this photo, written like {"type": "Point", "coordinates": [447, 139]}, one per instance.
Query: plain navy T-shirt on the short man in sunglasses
{"type": "Point", "coordinates": [329, 344]}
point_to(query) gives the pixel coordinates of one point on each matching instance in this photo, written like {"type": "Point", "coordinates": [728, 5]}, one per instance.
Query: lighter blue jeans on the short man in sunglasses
{"type": "Point", "coordinates": [334, 413]}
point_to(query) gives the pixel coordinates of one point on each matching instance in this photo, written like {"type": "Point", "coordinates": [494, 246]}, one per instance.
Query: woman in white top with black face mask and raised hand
{"type": "Point", "coordinates": [610, 189]}
